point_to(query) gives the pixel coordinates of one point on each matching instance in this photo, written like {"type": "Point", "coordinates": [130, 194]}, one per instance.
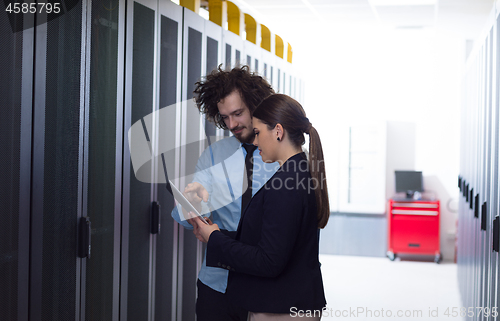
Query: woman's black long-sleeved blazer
{"type": "Point", "coordinates": [273, 258]}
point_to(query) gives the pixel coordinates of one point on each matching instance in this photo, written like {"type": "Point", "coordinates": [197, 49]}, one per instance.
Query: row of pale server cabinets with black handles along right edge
{"type": "Point", "coordinates": [477, 253]}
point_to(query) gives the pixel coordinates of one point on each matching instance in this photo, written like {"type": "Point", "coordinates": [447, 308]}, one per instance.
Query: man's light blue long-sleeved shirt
{"type": "Point", "coordinates": [220, 169]}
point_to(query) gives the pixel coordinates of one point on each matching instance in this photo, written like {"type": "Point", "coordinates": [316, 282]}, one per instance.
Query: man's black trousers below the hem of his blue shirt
{"type": "Point", "coordinates": [212, 305]}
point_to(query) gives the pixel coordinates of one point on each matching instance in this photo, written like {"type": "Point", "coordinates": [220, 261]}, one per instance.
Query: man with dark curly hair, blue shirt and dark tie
{"type": "Point", "coordinates": [227, 173]}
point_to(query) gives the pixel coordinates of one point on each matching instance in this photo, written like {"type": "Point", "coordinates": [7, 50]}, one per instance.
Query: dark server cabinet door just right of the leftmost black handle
{"type": "Point", "coordinates": [103, 158]}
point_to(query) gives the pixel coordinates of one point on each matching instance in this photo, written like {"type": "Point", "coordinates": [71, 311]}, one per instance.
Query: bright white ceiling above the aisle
{"type": "Point", "coordinates": [464, 17]}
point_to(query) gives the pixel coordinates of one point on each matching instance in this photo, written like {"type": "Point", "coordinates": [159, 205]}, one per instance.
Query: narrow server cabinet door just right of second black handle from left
{"type": "Point", "coordinates": [169, 84]}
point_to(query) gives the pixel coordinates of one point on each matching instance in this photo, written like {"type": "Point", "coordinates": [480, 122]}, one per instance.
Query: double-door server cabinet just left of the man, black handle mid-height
{"type": "Point", "coordinates": [149, 253]}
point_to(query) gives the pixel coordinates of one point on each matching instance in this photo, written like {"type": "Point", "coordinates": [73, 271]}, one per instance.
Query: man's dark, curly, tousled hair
{"type": "Point", "coordinates": [220, 83]}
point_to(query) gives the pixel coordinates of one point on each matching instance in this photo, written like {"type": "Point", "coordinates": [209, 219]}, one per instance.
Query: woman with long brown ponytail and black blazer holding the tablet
{"type": "Point", "coordinates": [274, 271]}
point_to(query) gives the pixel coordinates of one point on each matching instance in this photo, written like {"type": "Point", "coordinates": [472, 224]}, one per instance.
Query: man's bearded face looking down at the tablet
{"type": "Point", "coordinates": [236, 116]}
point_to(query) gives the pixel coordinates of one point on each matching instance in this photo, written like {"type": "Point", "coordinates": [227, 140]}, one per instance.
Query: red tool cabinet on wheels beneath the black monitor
{"type": "Point", "coordinates": [413, 228]}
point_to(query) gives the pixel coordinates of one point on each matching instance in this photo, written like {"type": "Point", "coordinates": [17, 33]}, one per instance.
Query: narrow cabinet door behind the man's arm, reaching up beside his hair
{"type": "Point", "coordinates": [191, 148]}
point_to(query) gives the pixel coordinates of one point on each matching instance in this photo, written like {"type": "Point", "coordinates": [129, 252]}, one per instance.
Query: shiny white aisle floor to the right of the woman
{"type": "Point", "coordinates": [369, 288]}
